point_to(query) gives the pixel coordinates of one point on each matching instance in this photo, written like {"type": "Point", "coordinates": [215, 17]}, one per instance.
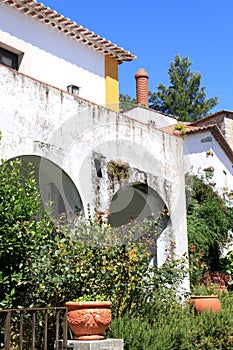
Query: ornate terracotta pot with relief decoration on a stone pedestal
{"type": "Point", "coordinates": [88, 320]}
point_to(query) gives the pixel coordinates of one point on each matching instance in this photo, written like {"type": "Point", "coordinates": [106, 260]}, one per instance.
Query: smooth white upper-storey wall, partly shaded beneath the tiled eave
{"type": "Point", "coordinates": [51, 57]}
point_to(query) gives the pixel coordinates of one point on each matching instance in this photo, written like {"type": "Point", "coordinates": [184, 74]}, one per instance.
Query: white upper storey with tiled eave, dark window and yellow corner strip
{"type": "Point", "coordinates": [38, 42]}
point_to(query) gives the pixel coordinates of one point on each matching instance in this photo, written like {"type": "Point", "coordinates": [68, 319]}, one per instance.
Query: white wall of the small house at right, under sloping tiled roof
{"type": "Point", "coordinates": [196, 159]}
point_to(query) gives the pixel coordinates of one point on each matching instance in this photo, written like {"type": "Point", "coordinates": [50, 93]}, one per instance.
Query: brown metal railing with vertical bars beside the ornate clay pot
{"type": "Point", "coordinates": [33, 328]}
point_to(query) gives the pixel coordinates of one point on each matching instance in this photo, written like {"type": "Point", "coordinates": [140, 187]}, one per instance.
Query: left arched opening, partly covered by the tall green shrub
{"type": "Point", "coordinates": [57, 190]}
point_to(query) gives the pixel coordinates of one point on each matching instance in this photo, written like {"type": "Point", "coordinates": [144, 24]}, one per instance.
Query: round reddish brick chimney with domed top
{"type": "Point", "coordinates": [142, 87]}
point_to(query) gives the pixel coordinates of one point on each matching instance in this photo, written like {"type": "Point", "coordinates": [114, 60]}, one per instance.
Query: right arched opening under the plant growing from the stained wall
{"type": "Point", "coordinates": [133, 203]}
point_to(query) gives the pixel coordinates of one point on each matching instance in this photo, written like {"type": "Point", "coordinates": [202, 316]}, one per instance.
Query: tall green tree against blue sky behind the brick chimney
{"type": "Point", "coordinates": [184, 98]}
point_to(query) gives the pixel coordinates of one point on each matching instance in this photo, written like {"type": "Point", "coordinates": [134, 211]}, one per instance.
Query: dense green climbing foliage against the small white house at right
{"type": "Point", "coordinates": [208, 220]}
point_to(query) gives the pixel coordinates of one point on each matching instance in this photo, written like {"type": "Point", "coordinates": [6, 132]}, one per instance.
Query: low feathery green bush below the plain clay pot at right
{"type": "Point", "coordinates": [174, 326]}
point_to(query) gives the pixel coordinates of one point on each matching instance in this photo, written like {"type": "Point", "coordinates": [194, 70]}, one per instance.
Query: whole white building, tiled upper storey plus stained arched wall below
{"type": "Point", "coordinates": [70, 137]}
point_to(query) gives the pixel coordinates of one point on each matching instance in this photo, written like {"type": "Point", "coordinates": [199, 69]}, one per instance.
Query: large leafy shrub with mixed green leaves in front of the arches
{"type": "Point", "coordinates": [46, 264]}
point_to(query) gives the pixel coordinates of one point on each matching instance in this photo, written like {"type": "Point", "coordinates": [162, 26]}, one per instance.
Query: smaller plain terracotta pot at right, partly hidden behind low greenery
{"type": "Point", "coordinates": [205, 303]}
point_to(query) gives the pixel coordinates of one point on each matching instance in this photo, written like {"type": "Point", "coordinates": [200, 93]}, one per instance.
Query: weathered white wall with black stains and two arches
{"type": "Point", "coordinates": [40, 120]}
